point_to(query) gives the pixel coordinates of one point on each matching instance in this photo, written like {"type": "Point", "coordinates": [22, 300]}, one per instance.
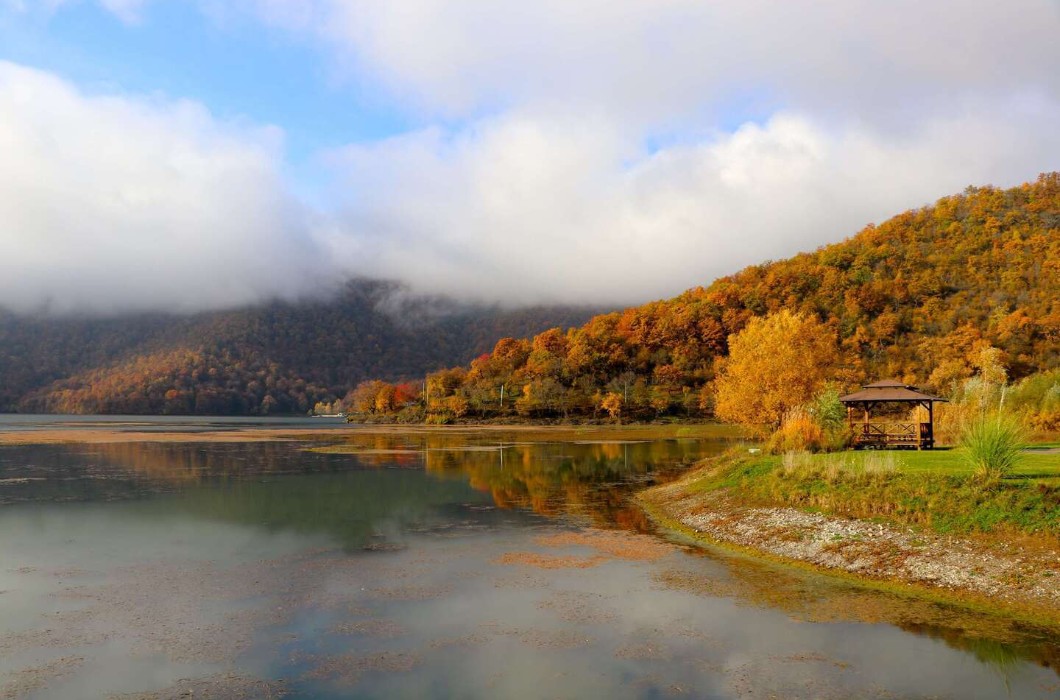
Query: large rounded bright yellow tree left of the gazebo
{"type": "Point", "coordinates": [775, 364]}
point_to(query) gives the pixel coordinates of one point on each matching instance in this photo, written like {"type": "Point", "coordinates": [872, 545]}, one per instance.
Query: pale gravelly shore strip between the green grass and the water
{"type": "Point", "coordinates": [1018, 575]}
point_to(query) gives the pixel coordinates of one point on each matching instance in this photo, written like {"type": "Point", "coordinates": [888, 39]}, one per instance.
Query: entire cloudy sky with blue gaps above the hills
{"type": "Point", "coordinates": [184, 155]}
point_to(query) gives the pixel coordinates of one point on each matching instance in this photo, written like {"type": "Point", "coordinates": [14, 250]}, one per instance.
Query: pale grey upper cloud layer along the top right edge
{"type": "Point", "coordinates": [668, 61]}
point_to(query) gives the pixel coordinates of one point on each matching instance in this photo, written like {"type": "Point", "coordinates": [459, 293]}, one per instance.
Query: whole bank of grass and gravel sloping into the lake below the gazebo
{"type": "Point", "coordinates": [920, 522]}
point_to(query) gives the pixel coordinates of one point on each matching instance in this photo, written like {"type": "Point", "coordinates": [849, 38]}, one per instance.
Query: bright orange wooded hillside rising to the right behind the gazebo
{"type": "Point", "coordinates": [916, 299]}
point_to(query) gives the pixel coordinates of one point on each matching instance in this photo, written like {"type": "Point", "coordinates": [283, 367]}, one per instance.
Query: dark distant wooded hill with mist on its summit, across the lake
{"type": "Point", "coordinates": [278, 358]}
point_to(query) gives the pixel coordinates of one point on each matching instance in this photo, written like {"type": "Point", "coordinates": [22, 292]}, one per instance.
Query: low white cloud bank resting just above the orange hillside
{"type": "Point", "coordinates": [532, 211]}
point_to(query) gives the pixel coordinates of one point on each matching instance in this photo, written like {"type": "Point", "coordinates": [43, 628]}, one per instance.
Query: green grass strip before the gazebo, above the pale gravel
{"type": "Point", "coordinates": [934, 489]}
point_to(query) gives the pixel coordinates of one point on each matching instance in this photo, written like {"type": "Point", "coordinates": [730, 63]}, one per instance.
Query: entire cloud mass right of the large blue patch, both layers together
{"type": "Point", "coordinates": [619, 150]}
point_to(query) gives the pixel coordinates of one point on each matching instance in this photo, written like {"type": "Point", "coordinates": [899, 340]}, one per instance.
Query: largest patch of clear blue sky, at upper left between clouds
{"type": "Point", "coordinates": [238, 69]}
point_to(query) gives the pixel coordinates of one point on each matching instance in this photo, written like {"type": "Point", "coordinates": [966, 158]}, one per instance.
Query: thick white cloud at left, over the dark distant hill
{"type": "Point", "coordinates": [111, 203]}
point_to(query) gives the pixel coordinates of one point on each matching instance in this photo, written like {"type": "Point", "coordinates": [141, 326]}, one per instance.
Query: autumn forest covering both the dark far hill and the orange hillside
{"type": "Point", "coordinates": [917, 299]}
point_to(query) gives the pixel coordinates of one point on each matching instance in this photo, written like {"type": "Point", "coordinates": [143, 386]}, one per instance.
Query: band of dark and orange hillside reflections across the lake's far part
{"type": "Point", "coordinates": [592, 480]}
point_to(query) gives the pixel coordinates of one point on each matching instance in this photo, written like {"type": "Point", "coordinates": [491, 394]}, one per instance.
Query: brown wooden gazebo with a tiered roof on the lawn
{"type": "Point", "coordinates": [869, 434]}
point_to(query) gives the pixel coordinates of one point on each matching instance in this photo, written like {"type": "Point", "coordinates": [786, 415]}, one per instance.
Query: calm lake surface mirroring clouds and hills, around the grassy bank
{"type": "Point", "coordinates": [469, 566]}
